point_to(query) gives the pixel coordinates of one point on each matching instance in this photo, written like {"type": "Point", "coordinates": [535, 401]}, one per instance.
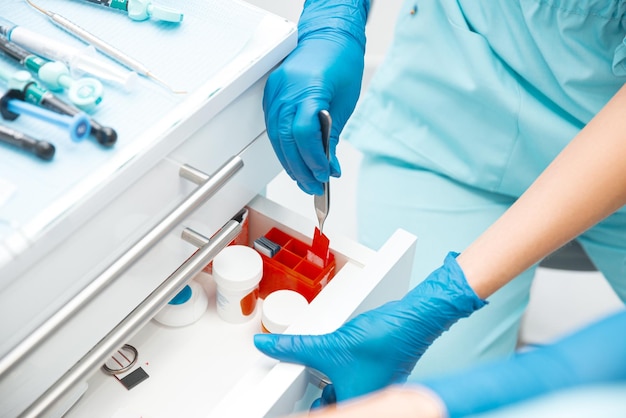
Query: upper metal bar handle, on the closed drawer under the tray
{"type": "Point", "coordinates": [209, 186]}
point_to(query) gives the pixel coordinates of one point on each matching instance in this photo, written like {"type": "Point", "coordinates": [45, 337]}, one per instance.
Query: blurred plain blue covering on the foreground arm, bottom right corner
{"type": "Point", "coordinates": [596, 354]}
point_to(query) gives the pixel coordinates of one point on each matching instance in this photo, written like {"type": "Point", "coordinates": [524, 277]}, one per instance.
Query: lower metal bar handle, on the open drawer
{"type": "Point", "coordinates": [137, 318]}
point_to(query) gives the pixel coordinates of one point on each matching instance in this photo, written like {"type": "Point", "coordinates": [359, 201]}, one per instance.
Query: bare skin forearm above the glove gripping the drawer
{"type": "Point", "coordinates": [583, 185]}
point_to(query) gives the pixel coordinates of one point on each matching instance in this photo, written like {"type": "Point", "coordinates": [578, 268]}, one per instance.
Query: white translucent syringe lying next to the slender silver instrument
{"type": "Point", "coordinates": [79, 60]}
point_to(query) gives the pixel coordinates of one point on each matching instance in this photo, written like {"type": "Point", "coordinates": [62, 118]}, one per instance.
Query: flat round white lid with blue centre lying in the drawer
{"type": "Point", "coordinates": [186, 307]}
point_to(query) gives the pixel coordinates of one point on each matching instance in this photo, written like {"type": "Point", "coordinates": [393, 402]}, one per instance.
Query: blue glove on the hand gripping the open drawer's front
{"type": "Point", "coordinates": [381, 346]}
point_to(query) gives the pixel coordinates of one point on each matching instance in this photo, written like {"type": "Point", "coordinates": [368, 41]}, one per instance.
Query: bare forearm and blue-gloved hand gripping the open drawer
{"type": "Point", "coordinates": [584, 184]}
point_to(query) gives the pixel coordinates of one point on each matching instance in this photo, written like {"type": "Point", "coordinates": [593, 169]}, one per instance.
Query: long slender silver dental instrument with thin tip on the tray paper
{"type": "Point", "coordinates": [102, 46]}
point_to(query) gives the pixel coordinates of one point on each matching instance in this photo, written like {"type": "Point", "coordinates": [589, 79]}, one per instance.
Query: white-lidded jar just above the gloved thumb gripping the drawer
{"type": "Point", "coordinates": [280, 309]}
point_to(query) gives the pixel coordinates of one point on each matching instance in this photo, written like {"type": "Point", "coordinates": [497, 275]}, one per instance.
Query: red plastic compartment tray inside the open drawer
{"type": "Point", "coordinates": [291, 268]}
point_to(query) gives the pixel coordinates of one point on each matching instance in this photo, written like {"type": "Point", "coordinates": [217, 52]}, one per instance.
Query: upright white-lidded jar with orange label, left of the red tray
{"type": "Point", "coordinates": [237, 271]}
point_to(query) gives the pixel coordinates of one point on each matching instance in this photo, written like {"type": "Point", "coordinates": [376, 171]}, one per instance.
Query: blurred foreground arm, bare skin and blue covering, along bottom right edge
{"type": "Point", "coordinates": [593, 355]}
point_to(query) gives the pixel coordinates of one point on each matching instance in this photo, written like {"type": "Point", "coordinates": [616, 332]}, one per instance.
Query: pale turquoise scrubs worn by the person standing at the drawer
{"type": "Point", "coordinates": [472, 102]}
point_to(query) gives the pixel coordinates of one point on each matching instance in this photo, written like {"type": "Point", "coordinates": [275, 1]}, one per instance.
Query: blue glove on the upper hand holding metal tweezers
{"type": "Point", "coordinates": [323, 72]}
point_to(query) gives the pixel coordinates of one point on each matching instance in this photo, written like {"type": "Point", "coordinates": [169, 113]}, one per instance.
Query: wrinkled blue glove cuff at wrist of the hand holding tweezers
{"type": "Point", "coordinates": [346, 16]}
